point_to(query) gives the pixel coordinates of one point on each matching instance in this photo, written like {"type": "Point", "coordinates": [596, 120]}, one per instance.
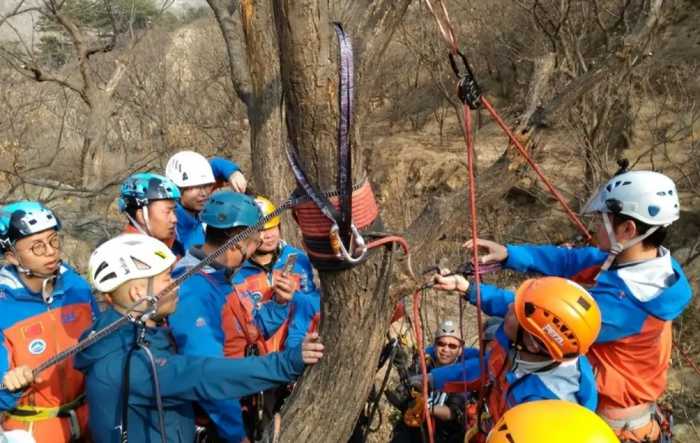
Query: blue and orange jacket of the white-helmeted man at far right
{"type": "Point", "coordinates": [637, 301]}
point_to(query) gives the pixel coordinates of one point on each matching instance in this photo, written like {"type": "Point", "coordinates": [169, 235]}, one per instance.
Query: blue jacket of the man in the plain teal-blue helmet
{"type": "Point", "coordinates": [196, 327]}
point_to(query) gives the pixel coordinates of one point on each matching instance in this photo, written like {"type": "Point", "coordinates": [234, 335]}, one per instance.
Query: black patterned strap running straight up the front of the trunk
{"type": "Point", "coordinates": [346, 89]}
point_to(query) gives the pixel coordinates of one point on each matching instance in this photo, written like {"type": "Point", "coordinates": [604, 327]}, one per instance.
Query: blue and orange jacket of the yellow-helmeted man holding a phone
{"type": "Point", "coordinates": [254, 284]}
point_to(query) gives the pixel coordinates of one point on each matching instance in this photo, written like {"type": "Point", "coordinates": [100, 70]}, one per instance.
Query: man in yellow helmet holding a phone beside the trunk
{"type": "Point", "coordinates": [277, 278]}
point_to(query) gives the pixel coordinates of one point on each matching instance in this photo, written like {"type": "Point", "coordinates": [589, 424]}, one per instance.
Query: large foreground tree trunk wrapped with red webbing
{"type": "Point", "coordinates": [356, 303]}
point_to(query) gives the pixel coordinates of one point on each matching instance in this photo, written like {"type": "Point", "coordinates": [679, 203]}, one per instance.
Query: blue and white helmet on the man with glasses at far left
{"type": "Point", "coordinates": [23, 218]}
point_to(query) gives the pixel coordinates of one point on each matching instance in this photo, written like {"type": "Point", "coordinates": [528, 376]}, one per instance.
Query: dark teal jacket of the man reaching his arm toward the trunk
{"type": "Point", "coordinates": [183, 381]}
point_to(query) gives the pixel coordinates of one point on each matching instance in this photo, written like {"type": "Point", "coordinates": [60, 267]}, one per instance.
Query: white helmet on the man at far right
{"type": "Point", "coordinates": [647, 196]}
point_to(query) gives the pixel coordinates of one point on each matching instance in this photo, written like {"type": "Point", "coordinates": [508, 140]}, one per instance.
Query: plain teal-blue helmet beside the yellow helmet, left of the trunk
{"type": "Point", "coordinates": [229, 209]}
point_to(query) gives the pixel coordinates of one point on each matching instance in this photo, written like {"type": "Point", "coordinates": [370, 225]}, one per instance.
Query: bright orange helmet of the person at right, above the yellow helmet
{"type": "Point", "coordinates": [560, 313]}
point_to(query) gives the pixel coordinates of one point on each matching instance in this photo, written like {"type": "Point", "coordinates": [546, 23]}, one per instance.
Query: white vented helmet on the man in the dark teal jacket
{"type": "Point", "coordinates": [127, 257]}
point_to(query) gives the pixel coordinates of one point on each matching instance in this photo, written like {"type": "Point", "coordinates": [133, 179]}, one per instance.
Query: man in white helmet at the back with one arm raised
{"type": "Point", "coordinates": [197, 177]}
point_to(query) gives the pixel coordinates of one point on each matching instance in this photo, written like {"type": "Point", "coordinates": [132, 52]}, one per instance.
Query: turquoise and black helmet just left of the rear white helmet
{"type": "Point", "coordinates": [142, 188]}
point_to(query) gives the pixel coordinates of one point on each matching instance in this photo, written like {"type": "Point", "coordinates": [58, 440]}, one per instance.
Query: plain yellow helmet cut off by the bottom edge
{"type": "Point", "coordinates": [551, 421]}
